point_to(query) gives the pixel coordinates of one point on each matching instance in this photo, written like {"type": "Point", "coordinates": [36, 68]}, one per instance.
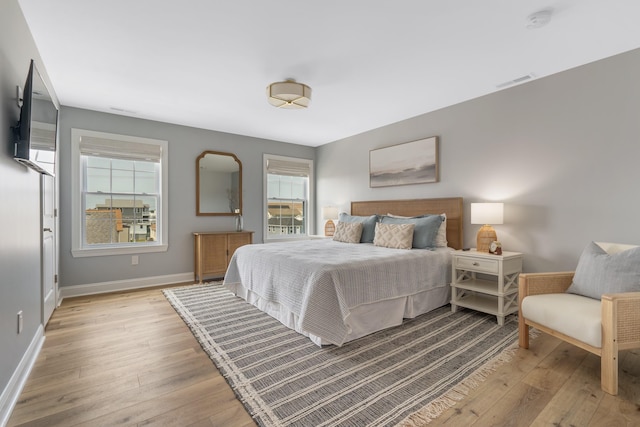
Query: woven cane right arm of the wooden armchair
{"type": "Point", "coordinates": [622, 312]}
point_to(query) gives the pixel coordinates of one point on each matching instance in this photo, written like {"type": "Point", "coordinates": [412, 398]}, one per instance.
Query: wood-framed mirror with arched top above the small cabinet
{"type": "Point", "coordinates": [218, 184]}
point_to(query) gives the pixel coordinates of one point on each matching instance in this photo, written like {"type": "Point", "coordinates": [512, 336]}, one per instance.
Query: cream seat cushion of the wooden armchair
{"type": "Point", "coordinates": [573, 315]}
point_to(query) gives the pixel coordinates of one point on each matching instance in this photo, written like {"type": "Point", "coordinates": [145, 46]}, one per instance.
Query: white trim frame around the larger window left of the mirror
{"type": "Point", "coordinates": [77, 249]}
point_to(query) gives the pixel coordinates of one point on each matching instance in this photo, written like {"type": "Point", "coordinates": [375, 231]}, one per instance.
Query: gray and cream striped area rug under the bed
{"type": "Point", "coordinates": [403, 376]}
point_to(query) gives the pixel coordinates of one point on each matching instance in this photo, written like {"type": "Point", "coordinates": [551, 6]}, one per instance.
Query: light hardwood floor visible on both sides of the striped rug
{"type": "Point", "coordinates": [127, 359]}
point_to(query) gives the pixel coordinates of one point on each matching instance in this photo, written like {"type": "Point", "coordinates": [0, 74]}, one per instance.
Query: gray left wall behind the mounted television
{"type": "Point", "coordinates": [19, 202]}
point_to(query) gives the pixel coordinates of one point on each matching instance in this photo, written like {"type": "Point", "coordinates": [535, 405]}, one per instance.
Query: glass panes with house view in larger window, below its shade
{"type": "Point", "coordinates": [120, 201]}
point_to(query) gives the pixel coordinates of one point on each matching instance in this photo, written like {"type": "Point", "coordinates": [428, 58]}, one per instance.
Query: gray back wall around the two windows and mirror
{"type": "Point", "coordinates": [185, 144]}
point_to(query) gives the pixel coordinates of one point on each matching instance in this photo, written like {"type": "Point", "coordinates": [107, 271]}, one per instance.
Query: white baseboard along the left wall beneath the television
{"type": "Point", "coordinates": [12, 391]}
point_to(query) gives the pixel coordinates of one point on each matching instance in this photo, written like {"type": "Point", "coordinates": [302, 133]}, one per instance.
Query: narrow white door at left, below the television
{"type": "Point", "coordinates": [48, 256]}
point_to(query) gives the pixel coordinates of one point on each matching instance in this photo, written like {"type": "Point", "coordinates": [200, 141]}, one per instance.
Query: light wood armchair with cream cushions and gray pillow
{"type": "Point", "coordinates": [596, 308]}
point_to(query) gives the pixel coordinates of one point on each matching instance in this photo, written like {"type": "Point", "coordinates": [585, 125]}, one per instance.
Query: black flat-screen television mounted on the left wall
{"type": "Point", "coordinates": [35, 134]}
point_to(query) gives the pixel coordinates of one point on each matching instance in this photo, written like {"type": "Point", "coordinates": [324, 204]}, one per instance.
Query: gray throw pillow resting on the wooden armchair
{"type": "Point", "coordinates": [600, 273]}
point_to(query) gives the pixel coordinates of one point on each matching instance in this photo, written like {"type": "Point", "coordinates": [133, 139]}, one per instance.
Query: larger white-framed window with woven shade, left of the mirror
{"type": "Point", "coordinates": [119, 194]}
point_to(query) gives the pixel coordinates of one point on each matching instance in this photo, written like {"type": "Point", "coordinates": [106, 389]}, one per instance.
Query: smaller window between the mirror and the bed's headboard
{"type": "Point", "coordinates": [288, 190]}
